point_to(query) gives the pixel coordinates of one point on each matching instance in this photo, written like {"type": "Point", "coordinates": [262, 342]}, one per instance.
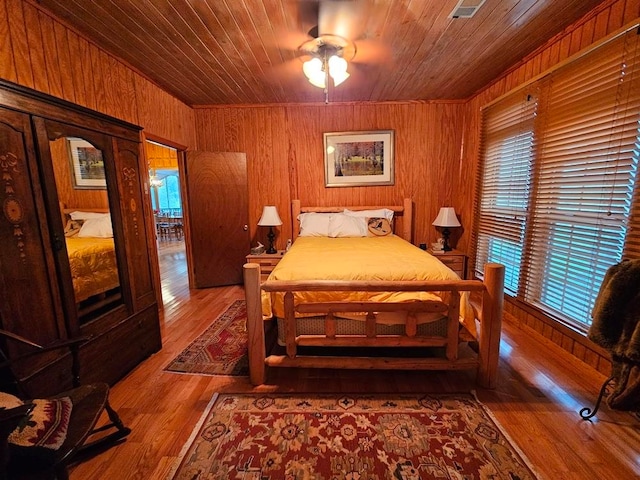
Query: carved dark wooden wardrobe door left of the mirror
{"type": "Point", "coordinates": [30, 303]}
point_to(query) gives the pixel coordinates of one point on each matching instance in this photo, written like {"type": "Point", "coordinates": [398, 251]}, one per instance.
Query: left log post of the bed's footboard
{"type": "Point", "coordinates": [255, 324]}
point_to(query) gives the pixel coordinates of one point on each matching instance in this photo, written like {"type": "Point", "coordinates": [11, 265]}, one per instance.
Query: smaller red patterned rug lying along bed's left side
{"type": "Point", "coordinates": [221, 349]}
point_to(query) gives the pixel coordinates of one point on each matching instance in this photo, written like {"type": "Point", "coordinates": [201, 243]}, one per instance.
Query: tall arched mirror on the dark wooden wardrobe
{"type": "Point", "coordinates": [82, 187]}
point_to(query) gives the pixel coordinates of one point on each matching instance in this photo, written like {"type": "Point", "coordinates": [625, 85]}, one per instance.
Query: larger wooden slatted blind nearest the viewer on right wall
{"type": "Point", "coordinates": [586, 168]}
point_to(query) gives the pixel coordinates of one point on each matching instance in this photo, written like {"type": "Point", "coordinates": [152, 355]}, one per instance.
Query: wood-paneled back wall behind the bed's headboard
{"type": "Point", "coordinates": [284, 147]}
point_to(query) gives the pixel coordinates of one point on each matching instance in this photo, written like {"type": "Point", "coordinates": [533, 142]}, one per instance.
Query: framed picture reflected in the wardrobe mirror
{"type": "Point", "coordinates": [87, 165]}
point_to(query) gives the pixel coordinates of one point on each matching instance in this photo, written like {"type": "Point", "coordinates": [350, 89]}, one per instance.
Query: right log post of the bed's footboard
{"type": "Point", "coordinates": [491, 325]}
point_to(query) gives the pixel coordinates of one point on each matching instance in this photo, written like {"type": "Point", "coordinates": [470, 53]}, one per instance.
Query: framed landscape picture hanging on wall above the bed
{"type": "Point", "coordinates": [358, 158]}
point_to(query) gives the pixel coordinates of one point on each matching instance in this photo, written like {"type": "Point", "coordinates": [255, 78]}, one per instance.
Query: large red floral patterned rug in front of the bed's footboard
{"type": "Point", "coordinates": [349, 437]}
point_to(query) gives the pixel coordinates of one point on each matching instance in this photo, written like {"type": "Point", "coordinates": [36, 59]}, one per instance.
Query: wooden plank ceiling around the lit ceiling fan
{"type": "Point", "coordinates": [208, 52]}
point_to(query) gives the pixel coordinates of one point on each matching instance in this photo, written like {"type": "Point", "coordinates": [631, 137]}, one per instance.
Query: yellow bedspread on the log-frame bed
{"type": "Point", "coordinates": [365, 258]}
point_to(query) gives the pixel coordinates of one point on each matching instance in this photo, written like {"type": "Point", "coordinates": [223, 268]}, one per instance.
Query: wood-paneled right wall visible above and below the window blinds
{"type": "Point", "coordinates": [608, 18]}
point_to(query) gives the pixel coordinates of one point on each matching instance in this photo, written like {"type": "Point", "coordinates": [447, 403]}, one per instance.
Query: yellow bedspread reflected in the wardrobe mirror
{"type": "Point", "coordinates": [93, 266]}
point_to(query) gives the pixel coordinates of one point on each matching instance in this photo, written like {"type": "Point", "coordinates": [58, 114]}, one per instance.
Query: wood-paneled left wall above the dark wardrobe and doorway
{"type": "Point", "coordinates": [40, 52]}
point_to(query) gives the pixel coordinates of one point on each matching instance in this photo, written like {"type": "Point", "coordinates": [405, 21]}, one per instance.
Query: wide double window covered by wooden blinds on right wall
{"type": "Point", "coordinates": [559, 167]}
